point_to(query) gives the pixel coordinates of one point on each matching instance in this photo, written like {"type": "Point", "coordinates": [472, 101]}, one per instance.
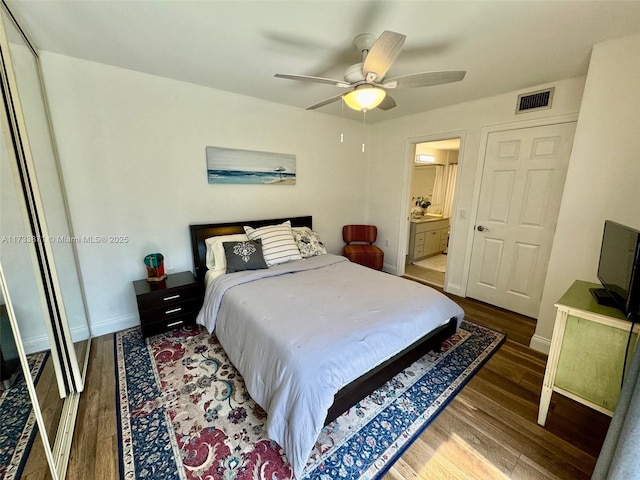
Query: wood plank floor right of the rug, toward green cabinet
{"type": "Point", "coordinates": [489, 430]}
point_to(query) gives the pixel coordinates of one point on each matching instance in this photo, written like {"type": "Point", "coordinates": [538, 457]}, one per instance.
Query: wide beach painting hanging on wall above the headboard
{"type": "Point", "coordinates": [230, 165]}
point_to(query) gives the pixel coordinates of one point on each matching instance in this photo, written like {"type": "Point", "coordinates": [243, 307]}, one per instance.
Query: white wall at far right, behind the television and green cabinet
{"type": "Point", "coordinates": [604, 173]}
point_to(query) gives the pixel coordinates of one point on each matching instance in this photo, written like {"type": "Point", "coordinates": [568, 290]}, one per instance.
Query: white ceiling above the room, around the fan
{"type": "Point", "coordinates": [239, 45]}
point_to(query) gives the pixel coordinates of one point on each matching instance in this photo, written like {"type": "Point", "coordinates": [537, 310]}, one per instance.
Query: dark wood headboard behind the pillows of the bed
{"type": "Point", "coordinates": [200, 232]}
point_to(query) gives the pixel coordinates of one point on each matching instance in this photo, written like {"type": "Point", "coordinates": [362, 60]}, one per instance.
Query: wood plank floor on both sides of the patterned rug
{"type": "Point", "coordinates": [488, 431]}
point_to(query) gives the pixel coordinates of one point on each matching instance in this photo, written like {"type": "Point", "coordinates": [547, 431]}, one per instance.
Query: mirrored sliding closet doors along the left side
{"type": "Point", "coordinates": [42, 288]}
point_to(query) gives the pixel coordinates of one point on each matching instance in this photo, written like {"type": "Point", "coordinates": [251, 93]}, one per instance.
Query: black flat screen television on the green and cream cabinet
{"type": "Point", "coordinates": [619, 269]}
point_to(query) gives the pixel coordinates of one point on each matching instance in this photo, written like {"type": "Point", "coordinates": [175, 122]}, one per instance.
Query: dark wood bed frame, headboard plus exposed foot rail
{"type": "Point", "coordinates": [351, 394]}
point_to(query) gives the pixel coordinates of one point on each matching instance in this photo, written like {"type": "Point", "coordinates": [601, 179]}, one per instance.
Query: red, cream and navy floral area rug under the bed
{"type": "Point", "coordinates": [185, 413]}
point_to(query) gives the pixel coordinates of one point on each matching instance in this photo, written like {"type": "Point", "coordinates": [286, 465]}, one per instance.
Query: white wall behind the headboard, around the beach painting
{"type": "Point", "coordinates": [132, 152]}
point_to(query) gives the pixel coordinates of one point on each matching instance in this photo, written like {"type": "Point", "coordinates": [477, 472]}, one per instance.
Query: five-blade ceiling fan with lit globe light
{"type": "Point", "coordinates": [367, 80]}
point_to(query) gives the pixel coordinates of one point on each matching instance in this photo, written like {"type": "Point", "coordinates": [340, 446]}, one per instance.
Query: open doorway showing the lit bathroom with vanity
{"type": "Point", "coordinates": [431, 193]}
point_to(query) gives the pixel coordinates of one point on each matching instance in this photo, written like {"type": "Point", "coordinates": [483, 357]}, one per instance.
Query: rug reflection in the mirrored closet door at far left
{"type": "Point", "coordinates": [18, 420]}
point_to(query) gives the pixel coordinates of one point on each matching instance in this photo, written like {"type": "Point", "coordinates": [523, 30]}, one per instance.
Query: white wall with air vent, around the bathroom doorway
{"type": "Point", "coordinates": [391, 161]}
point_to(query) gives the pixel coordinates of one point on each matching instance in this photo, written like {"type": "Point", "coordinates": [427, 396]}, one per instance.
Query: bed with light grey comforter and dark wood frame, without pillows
{"type": "Point", "coordinates": [312, 337]}
